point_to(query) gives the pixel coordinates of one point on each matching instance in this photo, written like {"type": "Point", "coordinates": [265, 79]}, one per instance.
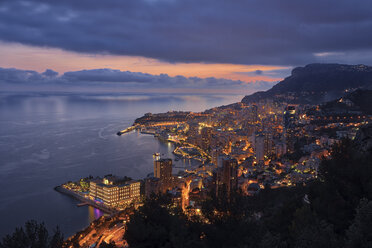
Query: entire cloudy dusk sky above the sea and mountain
{"type": "Point", "coordinates": [174, 45]}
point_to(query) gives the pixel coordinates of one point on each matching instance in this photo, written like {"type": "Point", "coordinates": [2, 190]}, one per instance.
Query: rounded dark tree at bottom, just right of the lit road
{"type": "Point", "coordinates": [159, 224]}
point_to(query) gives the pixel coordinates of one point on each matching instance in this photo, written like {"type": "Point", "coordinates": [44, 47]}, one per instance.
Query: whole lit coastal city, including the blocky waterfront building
{"type": "Point", "coordinates": [241, 148]}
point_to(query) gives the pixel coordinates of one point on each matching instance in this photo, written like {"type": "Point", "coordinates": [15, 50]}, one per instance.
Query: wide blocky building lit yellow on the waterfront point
{"type": "Point", "coordinates": [113, 191]}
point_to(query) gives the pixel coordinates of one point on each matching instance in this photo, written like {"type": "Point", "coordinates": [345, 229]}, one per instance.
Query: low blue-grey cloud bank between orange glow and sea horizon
{"type": "Point", "coordinates": [109, 78]}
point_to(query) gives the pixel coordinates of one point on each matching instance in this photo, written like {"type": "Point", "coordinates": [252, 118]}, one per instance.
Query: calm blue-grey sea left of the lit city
{"type": "Point", "coordinates": [48, 139]}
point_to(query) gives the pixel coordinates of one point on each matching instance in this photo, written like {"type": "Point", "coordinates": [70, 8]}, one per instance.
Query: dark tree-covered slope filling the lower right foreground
{"type": "Point", "coordinates": [333, 211]}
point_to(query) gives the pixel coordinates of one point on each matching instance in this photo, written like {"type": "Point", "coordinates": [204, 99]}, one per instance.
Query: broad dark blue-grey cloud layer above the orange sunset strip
{"type": "Point", "coordinates": [283, 32]}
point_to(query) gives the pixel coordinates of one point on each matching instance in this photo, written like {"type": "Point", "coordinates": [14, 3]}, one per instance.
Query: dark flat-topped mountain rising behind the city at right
{"type": "Point", "coordinates": [316, 83]}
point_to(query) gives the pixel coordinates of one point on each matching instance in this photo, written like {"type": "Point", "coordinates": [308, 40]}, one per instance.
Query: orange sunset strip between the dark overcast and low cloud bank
{"type": "Point", "coordinates": [22, 56]}
